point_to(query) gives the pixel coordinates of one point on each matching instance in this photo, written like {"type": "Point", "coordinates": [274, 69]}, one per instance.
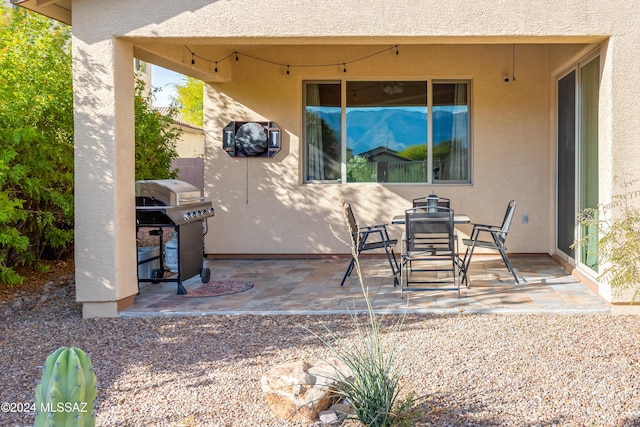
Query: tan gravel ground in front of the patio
{"type": "Point", "coordinates": [473, 370]}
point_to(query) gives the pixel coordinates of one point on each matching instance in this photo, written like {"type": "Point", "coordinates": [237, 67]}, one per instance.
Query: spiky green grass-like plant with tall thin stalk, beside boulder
{"type": "Point", "coordinates": [372, 384]}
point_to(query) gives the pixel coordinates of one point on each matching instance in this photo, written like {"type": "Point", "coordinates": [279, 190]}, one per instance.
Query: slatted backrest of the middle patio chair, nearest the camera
{"type": "Point", "coordinates": [428, 229]}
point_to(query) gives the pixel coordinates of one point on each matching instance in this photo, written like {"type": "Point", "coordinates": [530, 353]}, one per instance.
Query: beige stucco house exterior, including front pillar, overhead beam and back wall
{"type": "Point", "coordinates": [263, 205]}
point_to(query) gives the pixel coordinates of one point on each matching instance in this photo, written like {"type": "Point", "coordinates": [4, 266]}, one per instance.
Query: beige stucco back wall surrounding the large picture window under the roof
{"type": "Point", "coordinates": [264, 207]}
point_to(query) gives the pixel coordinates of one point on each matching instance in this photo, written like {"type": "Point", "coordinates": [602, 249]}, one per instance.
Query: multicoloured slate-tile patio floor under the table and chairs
{"type": "Point", "coordinates": [312, 286]}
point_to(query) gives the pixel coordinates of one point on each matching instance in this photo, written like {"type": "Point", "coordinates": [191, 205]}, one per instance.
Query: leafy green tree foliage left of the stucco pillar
{"type": "Point", "coordinates": [36, 130]}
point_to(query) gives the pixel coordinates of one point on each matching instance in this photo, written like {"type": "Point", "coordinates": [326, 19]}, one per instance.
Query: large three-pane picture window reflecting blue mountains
{"type": "Point", "coordinates": [387, 131]}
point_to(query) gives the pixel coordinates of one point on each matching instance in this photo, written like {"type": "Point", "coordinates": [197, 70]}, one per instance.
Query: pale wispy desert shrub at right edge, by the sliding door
{"type": "Point", "coordinates": [617, 225]}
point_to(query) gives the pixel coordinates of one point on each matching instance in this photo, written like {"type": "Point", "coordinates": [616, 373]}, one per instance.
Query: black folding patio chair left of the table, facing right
{"type": "Point", "coordinates": [370, 238]}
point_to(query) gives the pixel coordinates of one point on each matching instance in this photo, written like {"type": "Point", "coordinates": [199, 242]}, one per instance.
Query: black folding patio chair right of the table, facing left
{"type": "Point", "coordinates": [493, 237]}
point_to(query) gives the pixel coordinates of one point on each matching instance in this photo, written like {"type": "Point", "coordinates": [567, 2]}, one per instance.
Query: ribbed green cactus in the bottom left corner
{"type": "Point", "coordinates": [67, 390]}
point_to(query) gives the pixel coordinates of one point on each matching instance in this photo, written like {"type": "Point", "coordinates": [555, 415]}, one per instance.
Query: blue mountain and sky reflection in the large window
{"type": "Point", "coordinates": [396, 129]}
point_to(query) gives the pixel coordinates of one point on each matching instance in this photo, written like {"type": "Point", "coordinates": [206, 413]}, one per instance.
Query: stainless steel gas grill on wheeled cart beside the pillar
{"type": "Point", "coordinates": [177, 204]}
